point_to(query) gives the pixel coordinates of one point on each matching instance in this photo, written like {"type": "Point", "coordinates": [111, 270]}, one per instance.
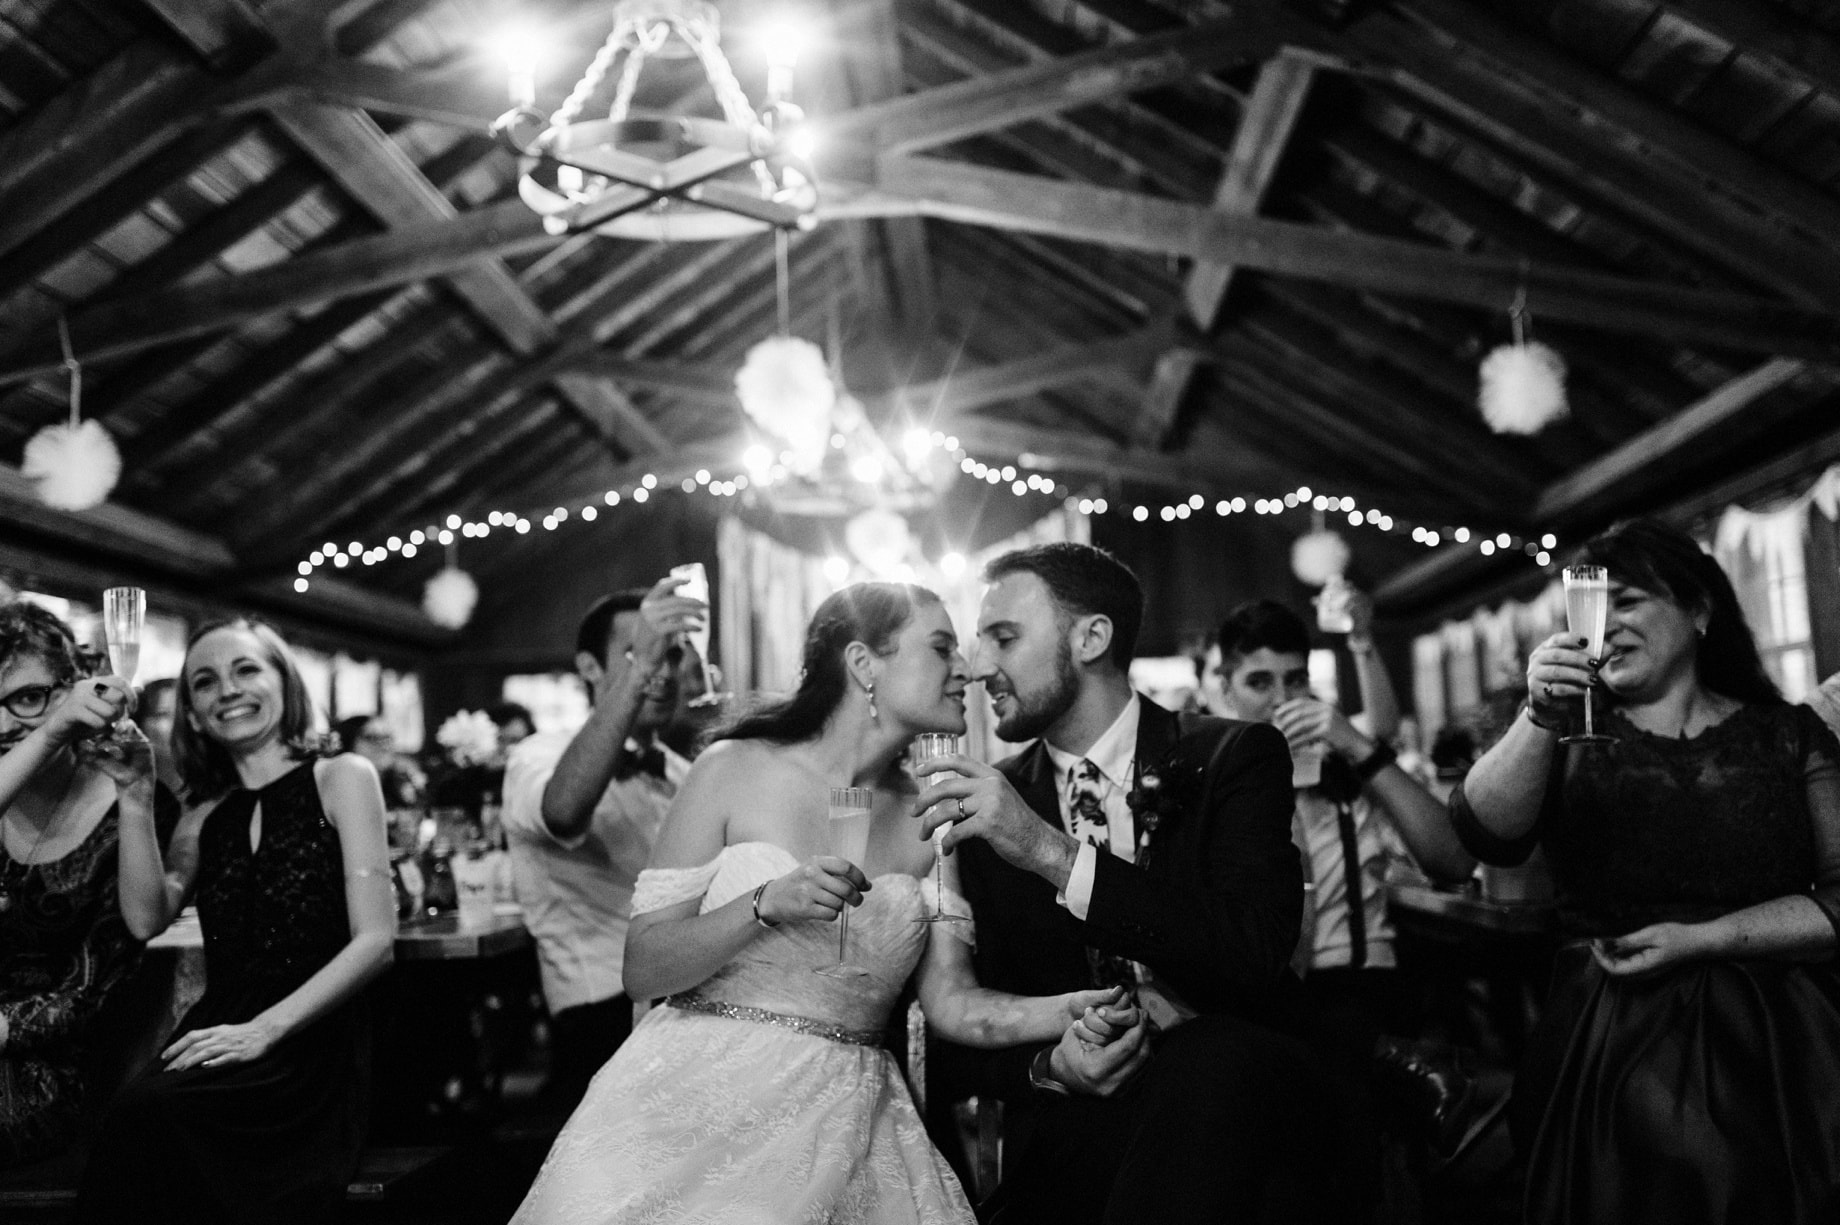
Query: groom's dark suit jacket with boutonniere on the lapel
{"type": "Point", "coordinates": [1215, 913]}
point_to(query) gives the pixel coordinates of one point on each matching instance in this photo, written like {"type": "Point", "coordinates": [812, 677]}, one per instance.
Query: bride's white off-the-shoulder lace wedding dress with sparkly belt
{"type": "Point", "coordinates": [766, 1095]}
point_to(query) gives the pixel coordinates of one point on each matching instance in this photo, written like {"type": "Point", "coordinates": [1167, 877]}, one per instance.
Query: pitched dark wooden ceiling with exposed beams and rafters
{"type": "Point", "coordinates": [1162, 246]}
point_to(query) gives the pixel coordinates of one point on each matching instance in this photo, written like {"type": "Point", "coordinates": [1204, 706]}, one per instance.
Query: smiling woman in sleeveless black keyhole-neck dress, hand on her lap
{"type": "Point", "coordinates": [259, 1110]}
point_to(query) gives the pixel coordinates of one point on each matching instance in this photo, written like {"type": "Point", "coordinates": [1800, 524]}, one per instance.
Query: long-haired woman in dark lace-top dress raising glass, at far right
{"type": "Point", "coordinates": [1686, 1068]}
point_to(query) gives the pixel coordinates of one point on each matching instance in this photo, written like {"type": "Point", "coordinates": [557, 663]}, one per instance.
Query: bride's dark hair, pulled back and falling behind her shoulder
{"type": "Point", "coordinates": [869, 613]}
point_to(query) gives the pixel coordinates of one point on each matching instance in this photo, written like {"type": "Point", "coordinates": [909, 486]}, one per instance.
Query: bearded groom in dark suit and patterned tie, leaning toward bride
{"type": "Point", "coordinates": [1131, 845]}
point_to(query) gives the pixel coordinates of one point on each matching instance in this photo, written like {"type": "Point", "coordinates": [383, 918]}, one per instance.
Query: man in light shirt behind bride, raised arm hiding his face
{"type": "Point", "coordinates": [582, 812]}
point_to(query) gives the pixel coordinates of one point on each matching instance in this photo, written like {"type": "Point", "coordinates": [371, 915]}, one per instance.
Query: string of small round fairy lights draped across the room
{"type": "Point", "coordinates": [763, 470]}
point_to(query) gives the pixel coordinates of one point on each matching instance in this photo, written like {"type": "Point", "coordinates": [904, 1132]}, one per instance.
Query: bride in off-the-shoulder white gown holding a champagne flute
{"type": "Point", "coordinates": [759, 1092]}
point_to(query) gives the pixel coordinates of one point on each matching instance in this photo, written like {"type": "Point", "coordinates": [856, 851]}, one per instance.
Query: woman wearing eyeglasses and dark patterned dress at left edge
{"type": "Point", "coordinates": [71, 779]}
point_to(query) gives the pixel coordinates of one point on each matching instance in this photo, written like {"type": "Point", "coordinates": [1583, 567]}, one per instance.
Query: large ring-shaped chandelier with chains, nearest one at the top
{"type": "Point", "coordinates": [661, 177]}
